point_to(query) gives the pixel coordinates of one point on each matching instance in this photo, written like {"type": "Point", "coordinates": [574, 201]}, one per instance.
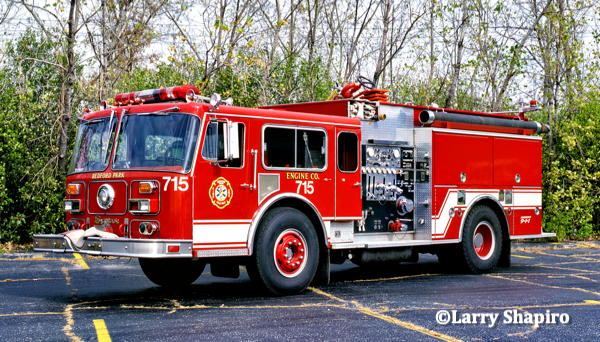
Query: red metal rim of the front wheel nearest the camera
{"type": "Point", "coordinates": [290, 253]}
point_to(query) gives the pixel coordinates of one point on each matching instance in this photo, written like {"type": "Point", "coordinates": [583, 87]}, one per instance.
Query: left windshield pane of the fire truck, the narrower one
{"type": "Point", "coordinates": [93, 145]}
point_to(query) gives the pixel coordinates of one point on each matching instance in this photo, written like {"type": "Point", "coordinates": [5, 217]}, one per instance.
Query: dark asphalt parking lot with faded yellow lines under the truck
{"type": "Point", "coordinates": [59, 297]}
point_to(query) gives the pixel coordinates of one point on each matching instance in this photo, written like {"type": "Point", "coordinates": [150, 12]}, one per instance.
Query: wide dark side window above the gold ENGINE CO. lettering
{"type": "Point", "coordinates": [294, 148]}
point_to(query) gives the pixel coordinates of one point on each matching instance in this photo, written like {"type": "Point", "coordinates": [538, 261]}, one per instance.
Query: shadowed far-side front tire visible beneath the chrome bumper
{"type": "Point", "coordinates": [172, 272]}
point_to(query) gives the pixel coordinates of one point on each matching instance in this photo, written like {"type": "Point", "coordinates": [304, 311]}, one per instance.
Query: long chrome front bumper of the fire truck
{"type": "Point", "coordinates": [122, 247]}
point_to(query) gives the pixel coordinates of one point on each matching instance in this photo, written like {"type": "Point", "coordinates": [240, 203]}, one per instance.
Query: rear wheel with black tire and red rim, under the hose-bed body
{"type": "Point", "coordinates": [482, 240]}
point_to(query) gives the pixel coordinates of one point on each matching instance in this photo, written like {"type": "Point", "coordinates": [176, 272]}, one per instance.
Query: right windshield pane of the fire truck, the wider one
{"type": "Point", "coordinates": [165, 141]}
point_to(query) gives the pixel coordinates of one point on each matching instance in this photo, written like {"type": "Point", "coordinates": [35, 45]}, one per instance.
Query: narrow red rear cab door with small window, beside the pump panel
{"type": "Point", "coordinates": [348, 204]}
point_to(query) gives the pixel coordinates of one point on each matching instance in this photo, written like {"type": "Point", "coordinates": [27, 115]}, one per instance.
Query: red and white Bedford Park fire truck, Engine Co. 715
{"type": "Point", "coordinates": [179, 180]}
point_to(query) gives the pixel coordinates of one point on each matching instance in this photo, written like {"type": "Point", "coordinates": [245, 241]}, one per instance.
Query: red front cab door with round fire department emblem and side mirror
{"type": "Point", "coordinates": [224, 202]}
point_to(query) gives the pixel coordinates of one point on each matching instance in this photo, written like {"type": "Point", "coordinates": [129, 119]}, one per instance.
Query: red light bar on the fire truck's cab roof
{"type": "Point", "coordinates": [185, 92]}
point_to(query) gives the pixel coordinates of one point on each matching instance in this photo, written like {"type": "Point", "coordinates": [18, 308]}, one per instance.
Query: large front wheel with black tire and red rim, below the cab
{"type": "Point", "coordinates": [286, 252]}
